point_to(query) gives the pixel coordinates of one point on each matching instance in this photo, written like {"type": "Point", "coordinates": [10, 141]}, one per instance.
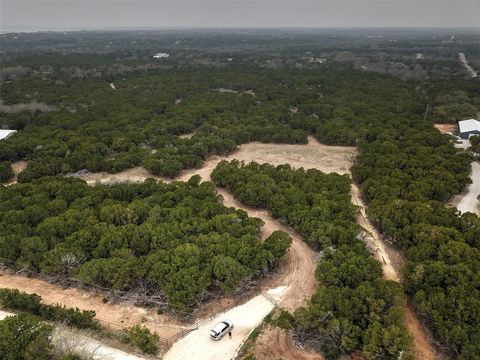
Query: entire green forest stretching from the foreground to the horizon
{"type": "Point", "coordinates": [177, 244]}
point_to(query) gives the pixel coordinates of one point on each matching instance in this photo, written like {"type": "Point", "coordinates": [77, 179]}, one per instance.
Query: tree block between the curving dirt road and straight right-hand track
{"type": "Point", "coordinates": [354, 308]}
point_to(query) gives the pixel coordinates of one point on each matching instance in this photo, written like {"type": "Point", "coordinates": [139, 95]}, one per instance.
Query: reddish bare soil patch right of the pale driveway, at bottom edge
{"type": "Point", "coordinates": [275, 343]}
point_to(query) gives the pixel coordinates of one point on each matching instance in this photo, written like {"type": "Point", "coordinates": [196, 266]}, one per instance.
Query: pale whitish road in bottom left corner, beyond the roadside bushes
{"type": "Point", "coordinates": [70, 340]}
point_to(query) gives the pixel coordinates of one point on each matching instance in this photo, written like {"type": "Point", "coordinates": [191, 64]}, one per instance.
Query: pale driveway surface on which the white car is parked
{"type": "Point", "coordinates": [198, 345]}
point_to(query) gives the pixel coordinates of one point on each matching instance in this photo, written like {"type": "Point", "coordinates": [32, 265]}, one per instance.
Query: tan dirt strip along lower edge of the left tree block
{"type": "Point", "coordinates": [113, 315]}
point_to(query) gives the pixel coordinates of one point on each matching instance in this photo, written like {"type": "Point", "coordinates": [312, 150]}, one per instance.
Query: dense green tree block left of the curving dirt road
{"type": "Point", "coordinates": [175, 243]}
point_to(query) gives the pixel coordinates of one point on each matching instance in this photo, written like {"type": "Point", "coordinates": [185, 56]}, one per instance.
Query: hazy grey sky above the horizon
{"type": "Point", "coordinates": [30, 15]}
